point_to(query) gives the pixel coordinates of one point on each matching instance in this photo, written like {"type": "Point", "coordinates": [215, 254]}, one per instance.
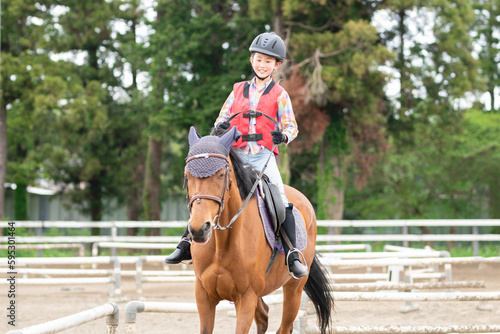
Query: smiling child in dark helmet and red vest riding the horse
{"type": "Point", "coordinates": [259, 108]}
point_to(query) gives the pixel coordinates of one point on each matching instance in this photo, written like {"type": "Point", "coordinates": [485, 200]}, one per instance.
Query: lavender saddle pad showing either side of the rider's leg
{"type": "Point", "coordinates": [300, 229]}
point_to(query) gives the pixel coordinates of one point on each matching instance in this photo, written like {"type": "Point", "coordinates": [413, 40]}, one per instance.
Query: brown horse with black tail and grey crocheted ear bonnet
{"type": "Point", "coordinates": [231, 263]}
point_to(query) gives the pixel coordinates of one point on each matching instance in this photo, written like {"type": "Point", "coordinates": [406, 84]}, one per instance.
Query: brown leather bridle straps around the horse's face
{"type": "Point", "coordinates": [221, 200]}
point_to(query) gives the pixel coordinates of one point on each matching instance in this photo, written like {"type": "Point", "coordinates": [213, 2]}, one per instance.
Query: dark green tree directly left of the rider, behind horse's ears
{"type": "Point", "coordinates": [197, 52]}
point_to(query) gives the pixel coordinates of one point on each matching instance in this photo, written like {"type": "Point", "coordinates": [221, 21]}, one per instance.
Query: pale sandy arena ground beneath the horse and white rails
{"type": "Point", "coordinates": [38, 304]}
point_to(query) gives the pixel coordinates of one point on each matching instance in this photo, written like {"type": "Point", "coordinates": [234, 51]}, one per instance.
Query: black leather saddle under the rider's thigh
{"type": "Point", "coordinates": [271, 195]}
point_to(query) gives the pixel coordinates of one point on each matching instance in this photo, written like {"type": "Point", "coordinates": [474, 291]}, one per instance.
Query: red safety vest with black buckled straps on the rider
{"type": "Point", "coordinates": [266, 114]}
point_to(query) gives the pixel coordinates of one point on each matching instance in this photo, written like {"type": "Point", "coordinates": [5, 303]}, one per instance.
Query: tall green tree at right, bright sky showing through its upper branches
{"type": "Point", "coordinates": [424, 174]}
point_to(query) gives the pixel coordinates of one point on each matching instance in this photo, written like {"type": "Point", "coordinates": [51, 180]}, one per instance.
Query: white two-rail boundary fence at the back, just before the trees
{"type": "Point", "coordinates": [405, 237]}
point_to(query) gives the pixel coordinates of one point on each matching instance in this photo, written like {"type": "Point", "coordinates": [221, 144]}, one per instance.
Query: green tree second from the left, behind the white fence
{"type": "Point", "coordinates": [87, 156]}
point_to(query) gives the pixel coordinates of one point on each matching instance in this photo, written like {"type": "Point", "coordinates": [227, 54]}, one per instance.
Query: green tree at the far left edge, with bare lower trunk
{"type": "Point", "coordinates": [24, 67]}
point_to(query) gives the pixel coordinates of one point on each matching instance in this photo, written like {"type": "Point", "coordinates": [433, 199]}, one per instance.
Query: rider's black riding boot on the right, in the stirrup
{"type": "Point", "coordinates": [295, 267]}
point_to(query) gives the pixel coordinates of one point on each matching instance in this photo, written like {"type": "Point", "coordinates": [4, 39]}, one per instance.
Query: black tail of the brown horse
{"type": "Point", "coordinates": [318, 290]}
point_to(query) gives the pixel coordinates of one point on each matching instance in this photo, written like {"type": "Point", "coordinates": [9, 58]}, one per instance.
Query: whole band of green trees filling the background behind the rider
{"type": "Point", "coordinates": [87, 87]}
